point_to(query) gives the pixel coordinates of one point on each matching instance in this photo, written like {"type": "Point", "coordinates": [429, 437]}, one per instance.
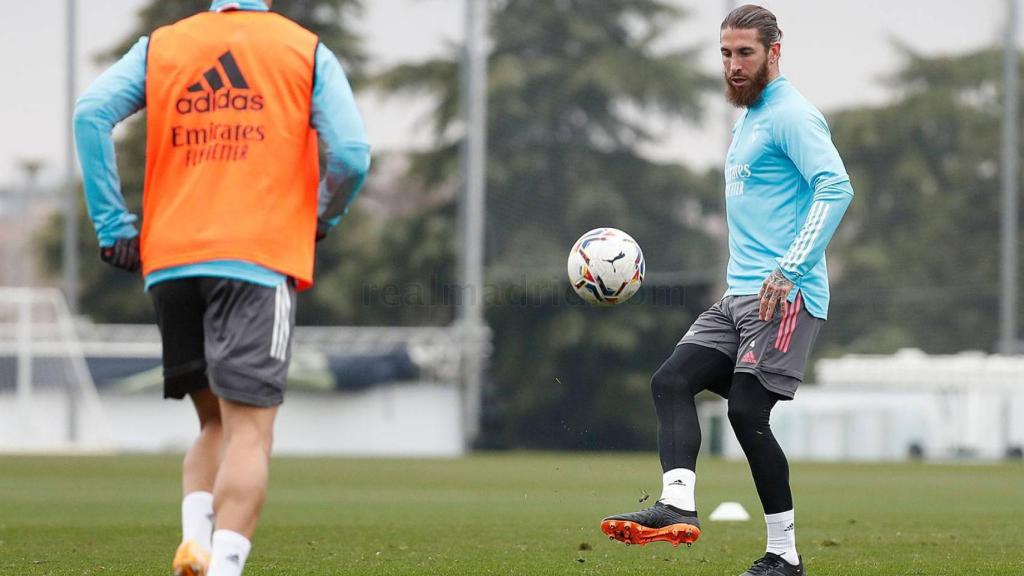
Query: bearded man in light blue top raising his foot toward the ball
{"type": "Point", "coordinates": [786, 192]}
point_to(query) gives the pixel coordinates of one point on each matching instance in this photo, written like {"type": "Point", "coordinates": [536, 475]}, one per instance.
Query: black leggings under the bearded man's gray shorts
{"type": "Point", "coordinates": [692, 369]}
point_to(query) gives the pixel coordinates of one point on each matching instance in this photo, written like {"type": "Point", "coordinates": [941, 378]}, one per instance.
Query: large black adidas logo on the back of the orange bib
{"type": "Point", "coordinates": [211, 95]}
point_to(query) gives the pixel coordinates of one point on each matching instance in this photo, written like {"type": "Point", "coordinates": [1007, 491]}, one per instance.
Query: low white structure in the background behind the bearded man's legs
{"type": "Point", "coordinates": [970, 405]}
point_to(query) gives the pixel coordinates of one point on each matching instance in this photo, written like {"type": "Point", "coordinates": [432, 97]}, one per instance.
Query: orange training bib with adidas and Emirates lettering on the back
{"type": "Point", "coordinates": [232, 160]}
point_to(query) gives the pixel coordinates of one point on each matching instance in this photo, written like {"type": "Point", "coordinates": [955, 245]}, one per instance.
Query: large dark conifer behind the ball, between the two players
{"type": "Point", "coordinates": [576, 90]}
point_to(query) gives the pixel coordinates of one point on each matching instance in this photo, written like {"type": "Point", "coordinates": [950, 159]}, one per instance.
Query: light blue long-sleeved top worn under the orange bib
{"type": "Point", "coordinates": [120, 93]}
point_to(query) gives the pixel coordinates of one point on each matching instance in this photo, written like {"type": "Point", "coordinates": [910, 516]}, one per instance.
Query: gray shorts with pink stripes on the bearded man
{"type": "Point", "coordinates": [776, 352]}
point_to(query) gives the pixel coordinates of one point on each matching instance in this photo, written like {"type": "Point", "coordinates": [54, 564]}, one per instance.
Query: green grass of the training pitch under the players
{"type": "Point", "coordinates": [511, 515]}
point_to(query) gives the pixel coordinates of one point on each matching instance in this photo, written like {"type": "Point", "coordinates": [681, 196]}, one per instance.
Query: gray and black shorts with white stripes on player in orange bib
{"type": "Point", "coordinates": [231, 336]}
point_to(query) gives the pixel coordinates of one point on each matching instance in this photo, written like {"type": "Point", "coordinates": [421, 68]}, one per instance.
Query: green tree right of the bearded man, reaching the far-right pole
{"type": "Point", "coordinates": [919, 252]}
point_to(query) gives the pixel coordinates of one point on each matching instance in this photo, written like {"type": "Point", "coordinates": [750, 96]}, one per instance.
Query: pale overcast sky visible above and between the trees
{"type": "Point", "coordinates": [837, 53]}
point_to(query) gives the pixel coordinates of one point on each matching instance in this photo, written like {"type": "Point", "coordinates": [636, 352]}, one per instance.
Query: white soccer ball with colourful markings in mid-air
{"type": "Point", "coordinates": [606, 267]}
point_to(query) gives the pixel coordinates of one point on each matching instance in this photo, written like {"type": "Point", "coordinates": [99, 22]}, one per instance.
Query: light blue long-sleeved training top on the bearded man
{"type": "Point", "coordinates": [786, 192]}
